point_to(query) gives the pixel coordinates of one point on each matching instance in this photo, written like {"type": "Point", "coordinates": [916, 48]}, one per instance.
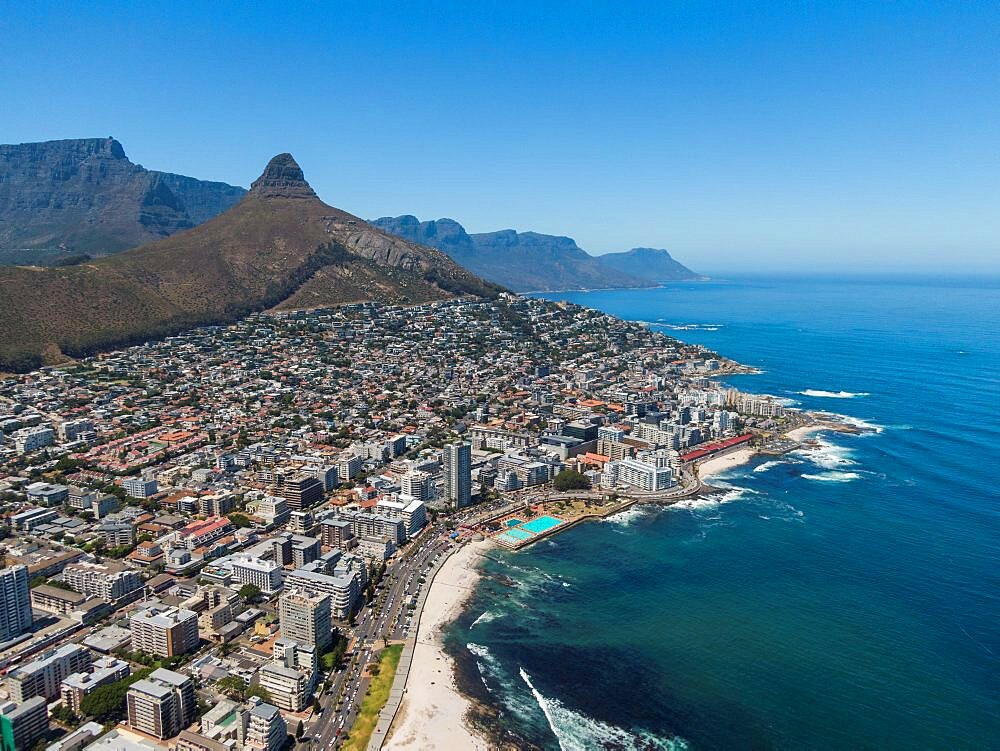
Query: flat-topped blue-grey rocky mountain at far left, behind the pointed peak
{"type": "Point", "coordinates": [85, 196]}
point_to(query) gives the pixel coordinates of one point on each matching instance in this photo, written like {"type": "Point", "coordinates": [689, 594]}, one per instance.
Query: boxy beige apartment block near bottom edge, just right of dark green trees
{"type": "Point", "coordinates": [161, 705]}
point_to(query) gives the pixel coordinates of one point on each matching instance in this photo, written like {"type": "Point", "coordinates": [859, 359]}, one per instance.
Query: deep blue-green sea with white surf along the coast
{"type": "Point", "coordinates": [846, 596]}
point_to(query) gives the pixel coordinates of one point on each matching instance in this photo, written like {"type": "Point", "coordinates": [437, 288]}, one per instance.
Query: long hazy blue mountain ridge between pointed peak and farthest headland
{"type": "Point", "coordinates": [521, 261]}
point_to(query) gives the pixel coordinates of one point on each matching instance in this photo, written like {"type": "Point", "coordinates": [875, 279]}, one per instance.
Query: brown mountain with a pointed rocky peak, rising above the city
{"type": "Point", "coordinates": [279, 247]}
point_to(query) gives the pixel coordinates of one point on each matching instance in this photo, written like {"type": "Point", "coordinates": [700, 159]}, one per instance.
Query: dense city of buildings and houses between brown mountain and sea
{"type": "Point", "coordinates": [221, 540]}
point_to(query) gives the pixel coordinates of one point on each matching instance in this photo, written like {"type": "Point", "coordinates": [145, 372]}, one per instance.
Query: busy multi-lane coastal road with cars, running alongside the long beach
{"type": "Point", "coordinates": [387, 617]}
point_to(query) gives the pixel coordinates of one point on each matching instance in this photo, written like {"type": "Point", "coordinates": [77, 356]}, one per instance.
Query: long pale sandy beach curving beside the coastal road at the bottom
{"type": "Point", "coordinates": [432, 714]}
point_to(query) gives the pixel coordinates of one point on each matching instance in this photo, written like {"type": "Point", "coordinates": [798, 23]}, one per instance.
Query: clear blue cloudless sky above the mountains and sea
{"type": "Point", "coordinates": [740, 136]}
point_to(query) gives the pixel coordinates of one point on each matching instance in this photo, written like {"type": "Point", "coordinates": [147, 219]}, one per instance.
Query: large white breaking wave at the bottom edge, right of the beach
{"type": "Point", "coordinates": [578, 732]}
